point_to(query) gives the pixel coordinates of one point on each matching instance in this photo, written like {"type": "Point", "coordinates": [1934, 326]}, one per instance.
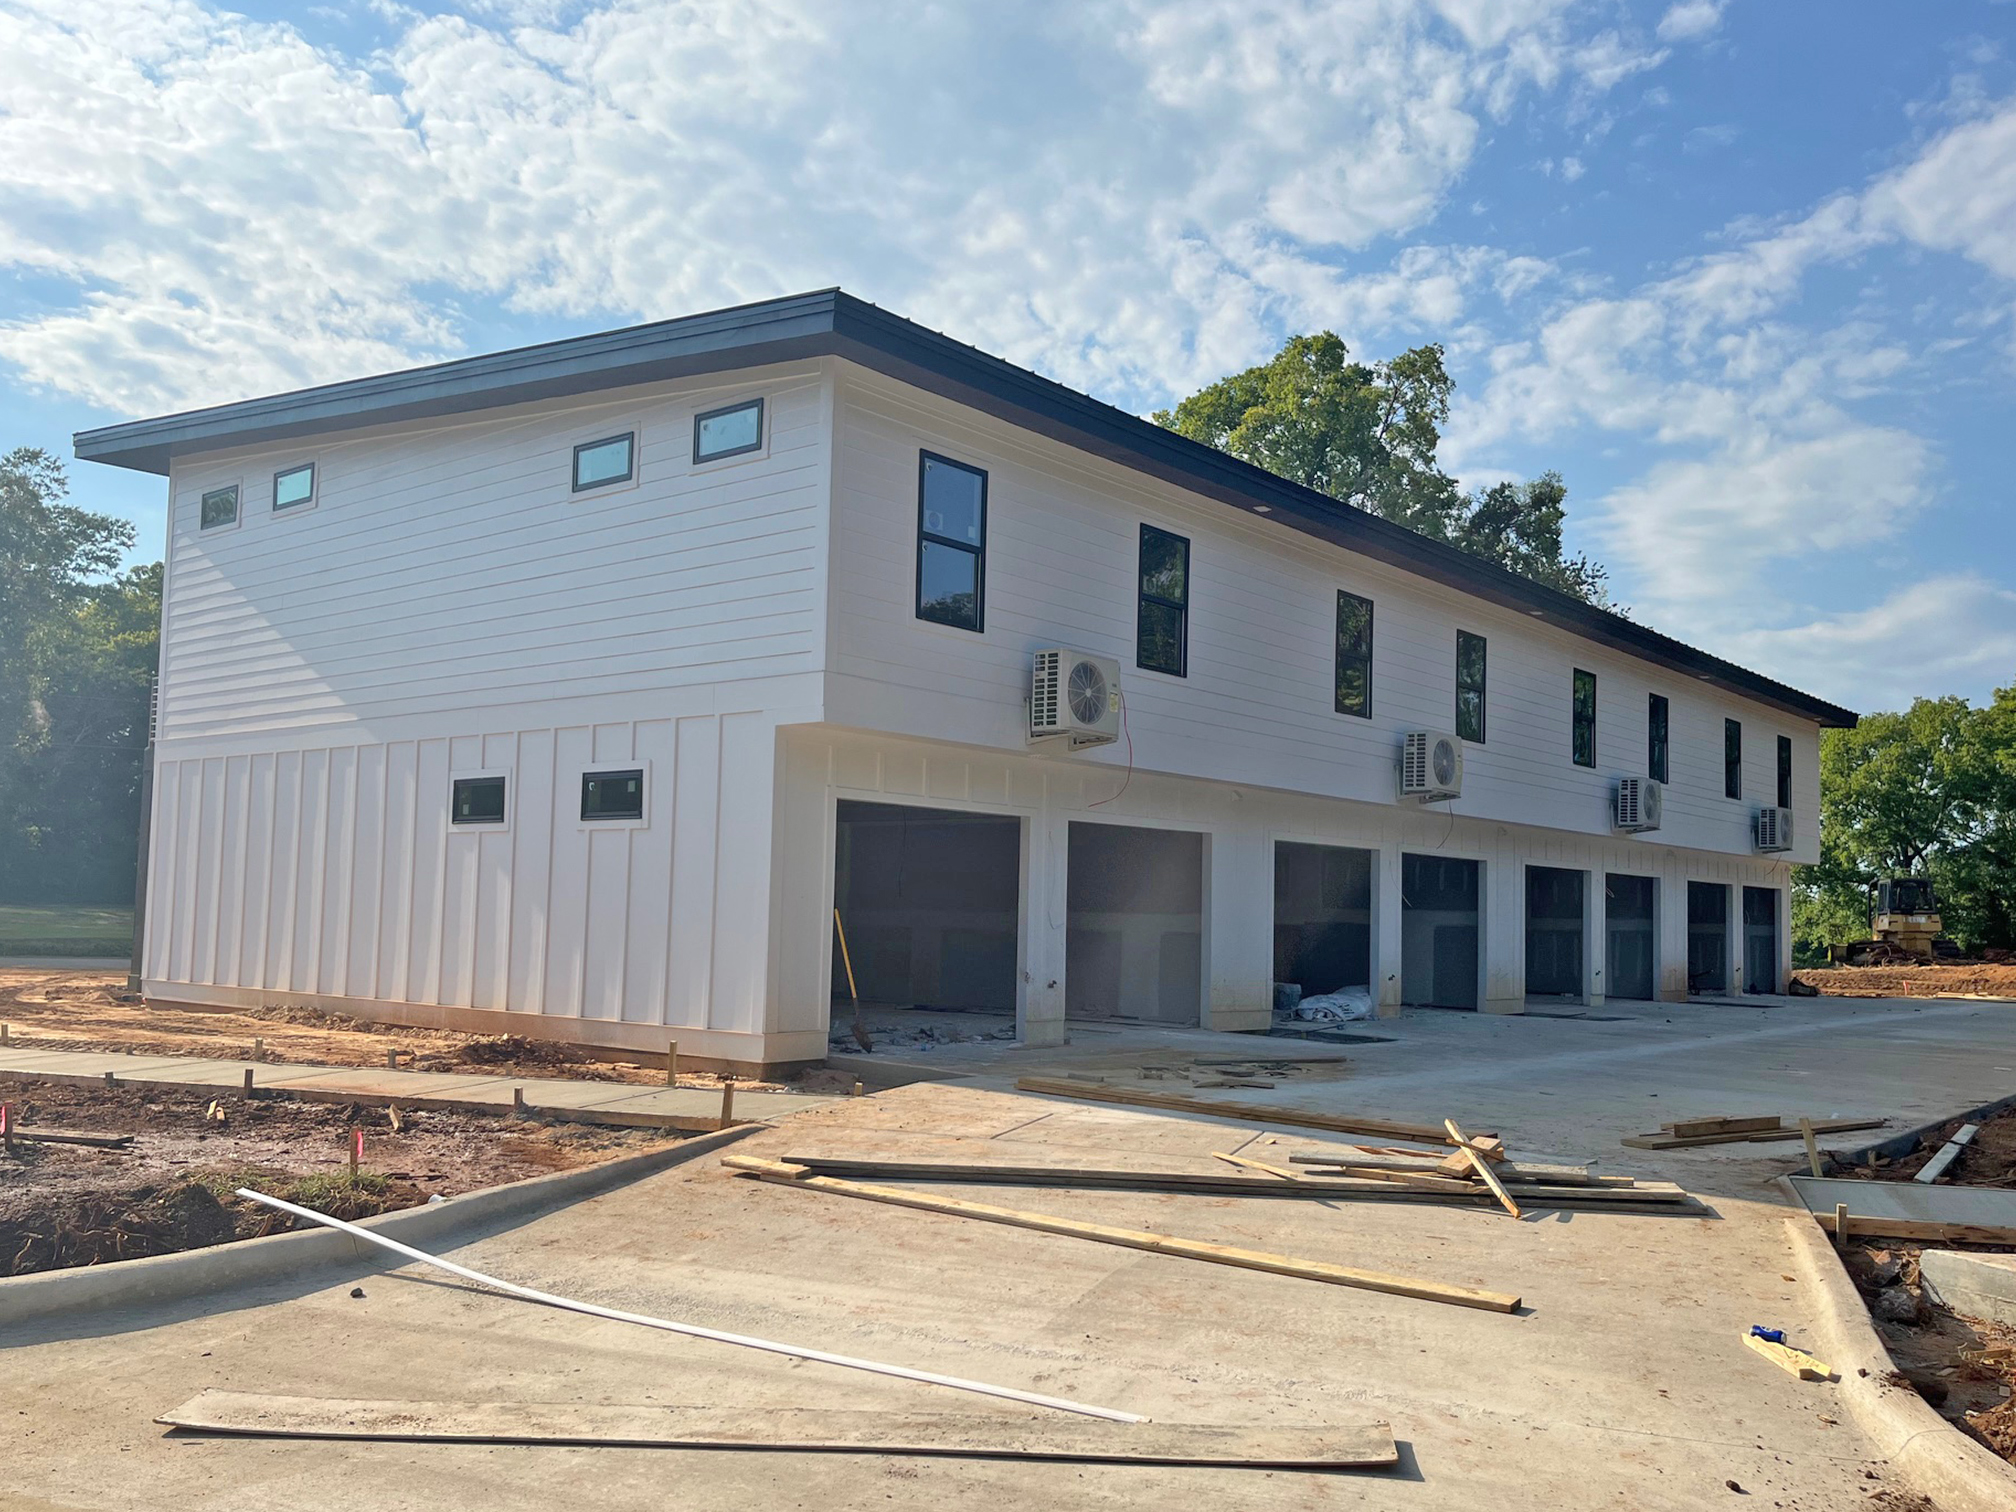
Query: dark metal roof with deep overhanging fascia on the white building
{"type": "Point", "coordinates": [832, 324]}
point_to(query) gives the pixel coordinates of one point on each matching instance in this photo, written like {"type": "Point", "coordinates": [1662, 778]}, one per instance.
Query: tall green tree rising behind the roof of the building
{"type": "Point", "coordinates": [1368, 434]}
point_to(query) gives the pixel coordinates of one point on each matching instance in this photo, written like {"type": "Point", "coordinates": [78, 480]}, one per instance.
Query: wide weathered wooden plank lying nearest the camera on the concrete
{"type": "Point", "coordinates": [787, 1430]}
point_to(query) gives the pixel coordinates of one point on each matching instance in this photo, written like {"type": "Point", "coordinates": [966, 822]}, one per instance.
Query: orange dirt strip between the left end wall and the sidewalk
{"type": "Point", "coordinates": [92, 1011]}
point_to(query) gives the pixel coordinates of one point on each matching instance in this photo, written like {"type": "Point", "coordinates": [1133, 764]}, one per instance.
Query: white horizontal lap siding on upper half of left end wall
{"type": "Point", "coordinates": [453, 568]}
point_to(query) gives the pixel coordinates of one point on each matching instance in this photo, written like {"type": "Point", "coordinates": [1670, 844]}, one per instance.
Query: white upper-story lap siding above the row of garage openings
{"type": "Point", "coordinates": [1257, 705]}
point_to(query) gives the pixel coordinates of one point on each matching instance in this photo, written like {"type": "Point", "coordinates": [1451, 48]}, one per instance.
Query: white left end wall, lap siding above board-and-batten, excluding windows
{"type": "Point", "coordinates": [447, 608]}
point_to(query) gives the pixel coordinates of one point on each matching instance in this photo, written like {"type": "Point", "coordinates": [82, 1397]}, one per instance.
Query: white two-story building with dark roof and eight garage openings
{"type": "Point", "coordinates": [578, 690]}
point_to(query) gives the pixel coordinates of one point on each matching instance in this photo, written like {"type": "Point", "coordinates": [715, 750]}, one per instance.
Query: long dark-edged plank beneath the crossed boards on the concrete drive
{"type": "Point", "coordinates": [1203, 1184]}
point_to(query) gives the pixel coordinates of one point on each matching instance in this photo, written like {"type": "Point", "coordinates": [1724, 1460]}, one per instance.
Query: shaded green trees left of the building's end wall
{"type": "Point", "coordinates": [78, 650]}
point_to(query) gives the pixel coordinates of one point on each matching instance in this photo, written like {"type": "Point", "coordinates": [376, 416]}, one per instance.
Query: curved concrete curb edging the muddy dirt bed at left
{"type": "Point", "coordinates": [247, 1263]}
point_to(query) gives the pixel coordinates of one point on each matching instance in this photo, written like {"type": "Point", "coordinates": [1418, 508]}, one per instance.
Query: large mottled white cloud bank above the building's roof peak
{"type": "Point", "coordinates": [1124, 195]}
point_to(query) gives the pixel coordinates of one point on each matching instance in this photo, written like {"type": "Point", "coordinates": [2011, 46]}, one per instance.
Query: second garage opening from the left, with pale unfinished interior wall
{"type": "Point", "coordinates": [1134, 930]}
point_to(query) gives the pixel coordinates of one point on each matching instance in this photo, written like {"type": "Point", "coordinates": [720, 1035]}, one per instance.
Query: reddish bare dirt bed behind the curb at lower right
{"type": "Point", "coordinates": [1965, 1368]}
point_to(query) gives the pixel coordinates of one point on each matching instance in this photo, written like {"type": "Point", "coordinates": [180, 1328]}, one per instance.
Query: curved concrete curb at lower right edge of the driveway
{"type": "Point", "coordinates": [1932, 1457]}
